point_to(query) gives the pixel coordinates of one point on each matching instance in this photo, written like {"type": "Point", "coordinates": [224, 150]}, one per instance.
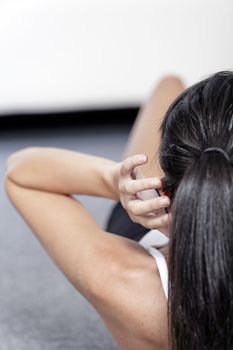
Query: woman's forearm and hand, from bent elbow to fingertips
{"type": "Point", "coordinates": [67, 172]}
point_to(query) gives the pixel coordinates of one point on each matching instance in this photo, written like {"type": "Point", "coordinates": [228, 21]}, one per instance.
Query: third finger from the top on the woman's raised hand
{"type": "Point", "coordinates": [138, 207]}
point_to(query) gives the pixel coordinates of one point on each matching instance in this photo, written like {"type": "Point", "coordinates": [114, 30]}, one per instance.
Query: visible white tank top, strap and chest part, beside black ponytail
{"type": "Point", "coordinates": [152, 240]}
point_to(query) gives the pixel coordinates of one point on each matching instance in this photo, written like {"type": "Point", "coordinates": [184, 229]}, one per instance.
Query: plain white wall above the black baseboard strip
{"type": "Point", "coordinates": [65, 54]}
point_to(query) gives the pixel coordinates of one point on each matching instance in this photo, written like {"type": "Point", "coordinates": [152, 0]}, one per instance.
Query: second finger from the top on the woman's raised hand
{"type": "Point", "coordinates": [134, 186]}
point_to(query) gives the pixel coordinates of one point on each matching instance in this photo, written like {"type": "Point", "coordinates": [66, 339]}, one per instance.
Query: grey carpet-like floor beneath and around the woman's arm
{"type": "Point", "coordinates": [39, 308]}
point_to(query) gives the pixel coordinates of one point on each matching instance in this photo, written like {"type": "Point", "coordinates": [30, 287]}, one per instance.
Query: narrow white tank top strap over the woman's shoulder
{"type": "Point", "coordinates": [162, 267]}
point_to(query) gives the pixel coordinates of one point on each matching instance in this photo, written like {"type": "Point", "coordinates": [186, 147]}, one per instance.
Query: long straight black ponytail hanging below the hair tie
{"type": "Point", "coordinates": [201, 257]}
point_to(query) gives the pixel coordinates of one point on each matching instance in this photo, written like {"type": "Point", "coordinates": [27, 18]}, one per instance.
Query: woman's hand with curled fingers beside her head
{"type": "Point", "coordinates": [138, 195]}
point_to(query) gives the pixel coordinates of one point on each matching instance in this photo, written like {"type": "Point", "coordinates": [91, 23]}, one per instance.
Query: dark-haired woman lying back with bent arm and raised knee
{"type": "Point", "coordinates": [116, 274]}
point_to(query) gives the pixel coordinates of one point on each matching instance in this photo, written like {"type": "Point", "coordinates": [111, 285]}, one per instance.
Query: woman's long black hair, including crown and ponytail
{"type": "Point", "coordinates": [200, 307]}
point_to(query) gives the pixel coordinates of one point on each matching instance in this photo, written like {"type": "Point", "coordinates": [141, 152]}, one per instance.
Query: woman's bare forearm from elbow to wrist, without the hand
{"type": "Point", "coordinates": [61, 171]}
